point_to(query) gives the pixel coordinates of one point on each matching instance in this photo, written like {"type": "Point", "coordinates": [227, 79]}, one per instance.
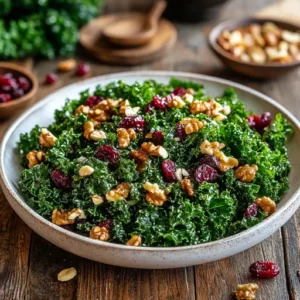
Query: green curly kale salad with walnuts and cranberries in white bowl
{"type": "Point", "coordinates": [151, 164]}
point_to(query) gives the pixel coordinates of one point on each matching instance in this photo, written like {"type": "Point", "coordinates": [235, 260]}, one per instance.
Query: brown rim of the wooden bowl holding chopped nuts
{"type": "Point", "coordinates": [216, 31]}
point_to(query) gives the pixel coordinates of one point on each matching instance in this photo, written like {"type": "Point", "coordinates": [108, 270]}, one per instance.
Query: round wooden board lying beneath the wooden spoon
{"type": "Point", "coordinates": [92, 39]}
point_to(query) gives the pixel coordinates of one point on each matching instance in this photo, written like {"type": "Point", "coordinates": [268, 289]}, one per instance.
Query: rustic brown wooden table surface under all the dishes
{"type": "Point", "coordinates": [29, 264]}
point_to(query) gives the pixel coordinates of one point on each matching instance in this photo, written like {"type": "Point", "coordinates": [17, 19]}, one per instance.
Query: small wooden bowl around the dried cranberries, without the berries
{"type": "Point", "coordinates": [8, 109]}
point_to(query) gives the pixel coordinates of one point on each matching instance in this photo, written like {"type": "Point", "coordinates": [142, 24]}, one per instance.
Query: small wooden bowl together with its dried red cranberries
{"type": "Point", "coordinates": [17, 89]}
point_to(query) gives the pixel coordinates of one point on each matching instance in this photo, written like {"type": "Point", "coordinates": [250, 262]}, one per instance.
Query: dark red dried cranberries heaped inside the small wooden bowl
{"type": "Point", "coordinates": [13, 87]}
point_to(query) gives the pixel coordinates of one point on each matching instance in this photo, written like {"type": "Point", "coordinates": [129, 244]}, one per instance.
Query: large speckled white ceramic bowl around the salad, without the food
{"type": "Point", "coordinates": [145, 257]}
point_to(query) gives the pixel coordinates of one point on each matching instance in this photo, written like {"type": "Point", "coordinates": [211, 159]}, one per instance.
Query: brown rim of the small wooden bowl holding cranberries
{"type": "Point", "coordinates": [26, 73]}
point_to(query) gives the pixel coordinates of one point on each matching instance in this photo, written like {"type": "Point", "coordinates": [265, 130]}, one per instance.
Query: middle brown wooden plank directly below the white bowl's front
{"type": "Point", "coordinates": [99, 281]}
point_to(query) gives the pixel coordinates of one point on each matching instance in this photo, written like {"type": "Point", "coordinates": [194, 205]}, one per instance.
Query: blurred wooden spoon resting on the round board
{"type": "Point", "coordinates": [137, 29]}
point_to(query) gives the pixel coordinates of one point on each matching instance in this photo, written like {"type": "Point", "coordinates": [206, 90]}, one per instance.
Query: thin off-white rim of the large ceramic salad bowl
{"type": "Point", "coordinates": [119, 76]}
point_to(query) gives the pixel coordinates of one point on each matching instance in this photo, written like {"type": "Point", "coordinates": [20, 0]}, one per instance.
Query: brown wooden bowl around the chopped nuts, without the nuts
{"type": "Point", "coordinates": [264, 71]}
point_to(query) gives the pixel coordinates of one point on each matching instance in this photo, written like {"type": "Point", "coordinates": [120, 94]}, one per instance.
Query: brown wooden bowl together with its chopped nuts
{"type": "Point", "coordinates": [260, 48]}
